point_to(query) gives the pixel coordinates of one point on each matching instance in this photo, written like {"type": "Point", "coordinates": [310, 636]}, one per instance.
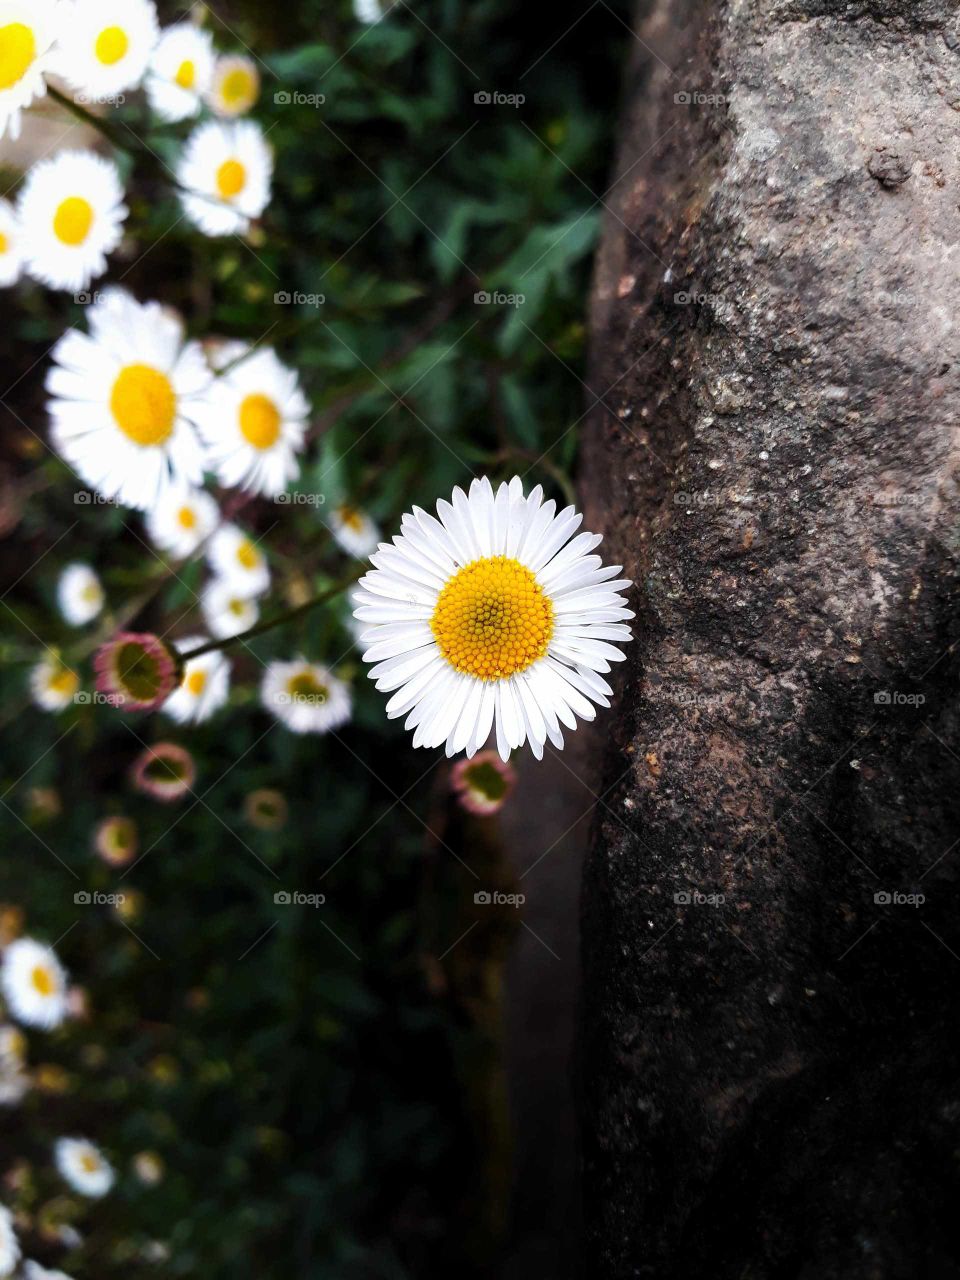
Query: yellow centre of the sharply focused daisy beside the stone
{"type": "Point", "coordinates": [493, 619]}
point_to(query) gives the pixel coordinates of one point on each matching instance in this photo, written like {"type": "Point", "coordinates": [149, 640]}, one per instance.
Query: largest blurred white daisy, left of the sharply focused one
{"type": "Point", "coordinates": [124, 401]}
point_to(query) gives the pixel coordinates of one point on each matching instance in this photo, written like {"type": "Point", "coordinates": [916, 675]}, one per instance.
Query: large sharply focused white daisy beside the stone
{"type": "Point", "coordinates": [493, 616]}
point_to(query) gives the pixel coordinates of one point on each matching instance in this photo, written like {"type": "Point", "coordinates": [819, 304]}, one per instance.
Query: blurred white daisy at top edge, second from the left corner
{"type": "Point", "coordinates": [106, 47]}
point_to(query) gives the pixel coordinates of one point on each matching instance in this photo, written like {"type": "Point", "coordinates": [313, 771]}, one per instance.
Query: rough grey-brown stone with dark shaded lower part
{"type": "Point", "coordinates": [771, 1080]}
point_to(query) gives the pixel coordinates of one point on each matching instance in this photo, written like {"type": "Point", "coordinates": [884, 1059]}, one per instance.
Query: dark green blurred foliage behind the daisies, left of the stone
{"type": "Point", "coordinates": [296, 1068]}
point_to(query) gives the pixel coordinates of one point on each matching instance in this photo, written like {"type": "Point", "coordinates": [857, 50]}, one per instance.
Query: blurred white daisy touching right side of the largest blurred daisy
{"type": "Point", "coordinates": [253, 423]}
